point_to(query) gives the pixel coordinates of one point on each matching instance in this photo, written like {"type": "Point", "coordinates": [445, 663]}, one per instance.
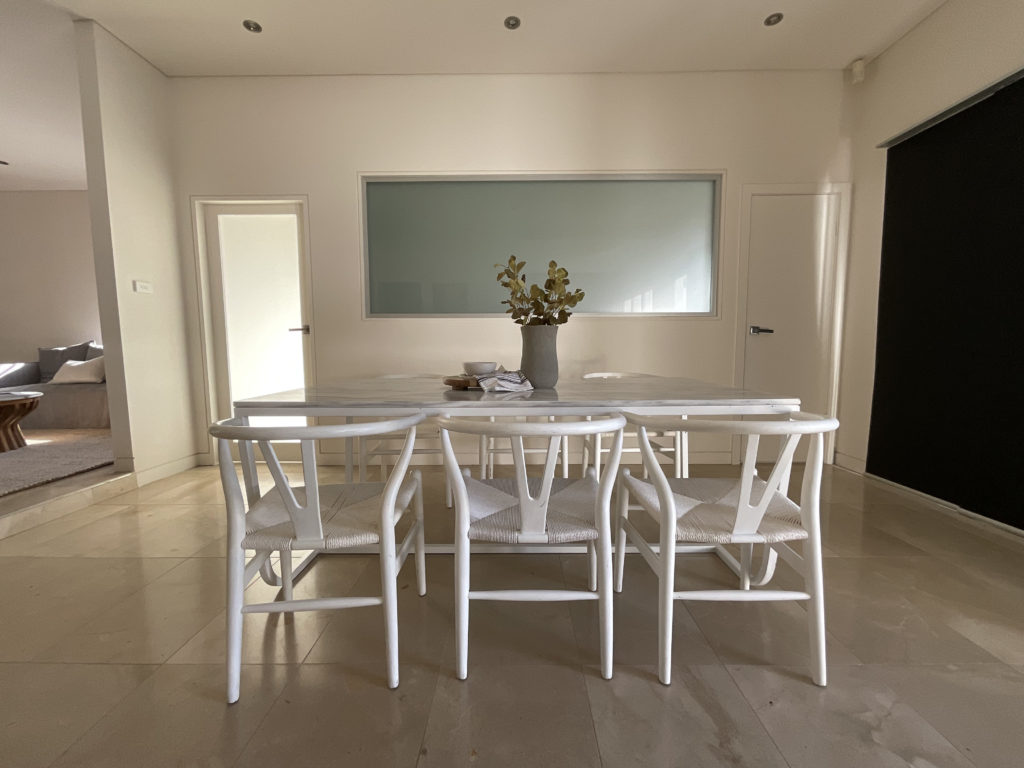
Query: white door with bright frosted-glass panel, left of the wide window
{"type": "Point", "coordinates": [259, 300]}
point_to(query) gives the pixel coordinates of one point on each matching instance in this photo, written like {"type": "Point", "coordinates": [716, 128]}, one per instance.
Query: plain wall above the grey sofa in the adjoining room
{"type": "Point", "coordinates": [49, 286]}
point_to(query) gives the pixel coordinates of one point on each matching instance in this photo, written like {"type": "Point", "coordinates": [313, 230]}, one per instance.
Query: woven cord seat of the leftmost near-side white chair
{"type": "Point", "coordinates": [351, 517]}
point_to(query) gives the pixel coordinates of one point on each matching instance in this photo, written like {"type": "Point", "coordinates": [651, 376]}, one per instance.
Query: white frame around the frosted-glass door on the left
{"type": "Point", "coordinates": [208, 304]}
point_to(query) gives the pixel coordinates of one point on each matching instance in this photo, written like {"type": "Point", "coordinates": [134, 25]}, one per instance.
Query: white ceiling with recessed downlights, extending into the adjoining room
{"type": "Point", "coordinates": [40, 119]}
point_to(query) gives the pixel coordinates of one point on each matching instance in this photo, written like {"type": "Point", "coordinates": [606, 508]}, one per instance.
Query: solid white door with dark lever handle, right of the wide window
{"type": "Point", "coordinates": [791, 291]}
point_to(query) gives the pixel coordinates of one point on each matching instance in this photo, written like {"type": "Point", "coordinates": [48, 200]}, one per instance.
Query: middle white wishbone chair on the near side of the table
{"type": "Point", "coordinates": [534, 510]}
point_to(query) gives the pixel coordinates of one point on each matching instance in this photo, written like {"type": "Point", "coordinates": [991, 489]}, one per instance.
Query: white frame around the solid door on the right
{"type": "Point", "coordinates": [836, 266]}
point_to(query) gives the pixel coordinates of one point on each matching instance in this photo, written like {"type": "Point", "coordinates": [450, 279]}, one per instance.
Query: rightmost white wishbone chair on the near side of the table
{"type": "Point", "coordinates": [747, 513]}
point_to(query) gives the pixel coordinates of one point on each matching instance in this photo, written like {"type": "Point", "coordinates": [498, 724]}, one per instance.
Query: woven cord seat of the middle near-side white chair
{"type": "Point", "coordinates": [495, 509]}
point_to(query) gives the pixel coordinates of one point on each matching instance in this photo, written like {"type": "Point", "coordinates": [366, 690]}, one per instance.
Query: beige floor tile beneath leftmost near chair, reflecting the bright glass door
{"type": "Point", "coordinates": [279, 638]}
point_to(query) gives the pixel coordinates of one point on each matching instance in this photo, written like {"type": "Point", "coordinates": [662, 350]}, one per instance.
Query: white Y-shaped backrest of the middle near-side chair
{"type": "Point", "coordinates": [534, 510]}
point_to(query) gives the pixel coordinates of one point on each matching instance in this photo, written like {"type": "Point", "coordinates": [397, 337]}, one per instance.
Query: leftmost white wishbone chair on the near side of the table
{"type": "Point", "coordinates": [316, 518]}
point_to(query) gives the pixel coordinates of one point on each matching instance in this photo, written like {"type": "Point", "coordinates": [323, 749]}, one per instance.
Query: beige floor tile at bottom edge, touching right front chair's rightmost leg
{"type": "Point", "coordinates": [856, 721]}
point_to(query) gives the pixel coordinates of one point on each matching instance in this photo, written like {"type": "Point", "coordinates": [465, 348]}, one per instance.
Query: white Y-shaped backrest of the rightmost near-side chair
{"type": "Point", "coordinates": [750, 511]}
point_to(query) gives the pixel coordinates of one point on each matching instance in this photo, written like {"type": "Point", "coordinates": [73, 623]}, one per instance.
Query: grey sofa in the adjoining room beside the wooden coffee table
{"type": "Point", "coordinates": [63, 406]}
